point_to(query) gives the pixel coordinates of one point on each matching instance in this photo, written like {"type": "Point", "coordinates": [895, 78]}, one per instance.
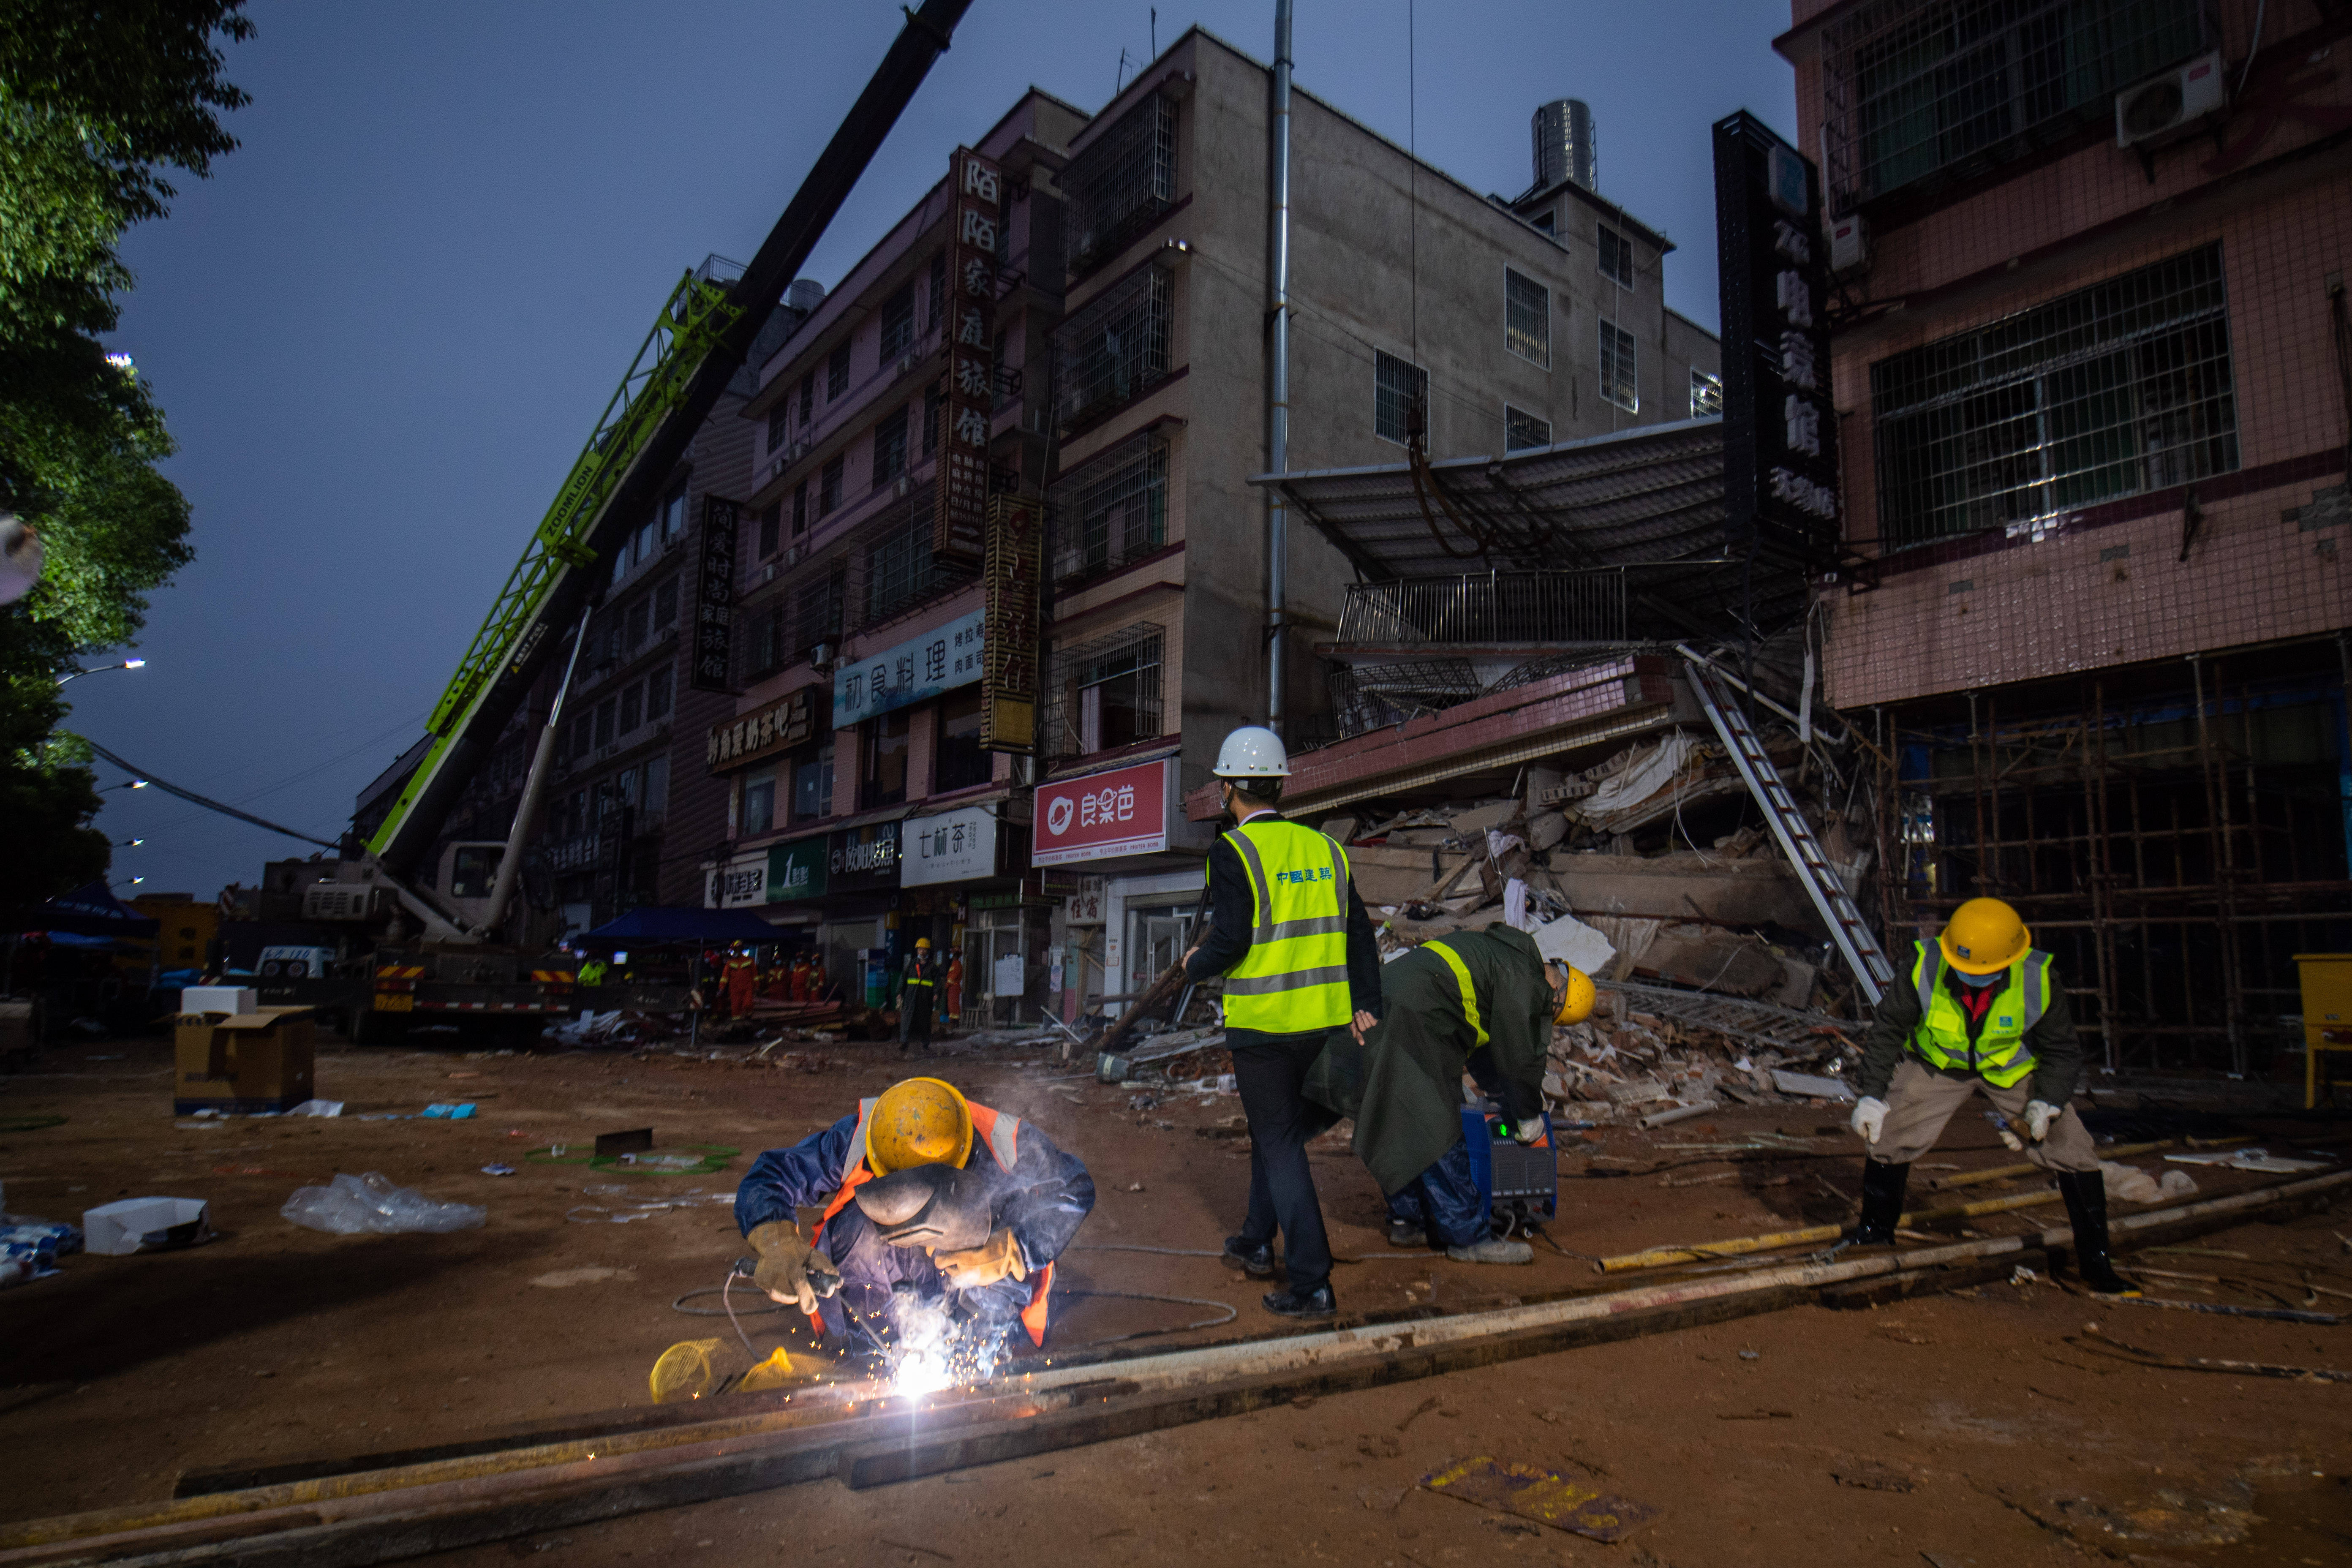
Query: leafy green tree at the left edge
{"type": "Point", "coordinates": [98, 102]}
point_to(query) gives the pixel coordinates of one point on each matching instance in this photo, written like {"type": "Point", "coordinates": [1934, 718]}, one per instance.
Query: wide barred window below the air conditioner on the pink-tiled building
{"type": "Point", "coordinates": [2109, 391]}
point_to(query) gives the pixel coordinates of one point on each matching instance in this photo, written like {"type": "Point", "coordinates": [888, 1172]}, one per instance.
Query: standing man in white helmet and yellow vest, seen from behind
{"type": "Point", "coordinates": [1299, 960]}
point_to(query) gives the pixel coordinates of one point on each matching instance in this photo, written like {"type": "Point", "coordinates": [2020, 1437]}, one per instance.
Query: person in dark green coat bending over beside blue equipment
{"type": "Point", "coordinates": [1478, 1003]}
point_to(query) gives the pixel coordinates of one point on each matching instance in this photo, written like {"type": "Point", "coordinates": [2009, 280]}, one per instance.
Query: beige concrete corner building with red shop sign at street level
{"type": "Point", "coordinates": [1419, 309]}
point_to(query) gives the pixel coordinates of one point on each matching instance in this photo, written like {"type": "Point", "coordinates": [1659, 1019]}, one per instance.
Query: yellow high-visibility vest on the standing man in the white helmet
{"type": "Point", "coordinates": [1295, 977]}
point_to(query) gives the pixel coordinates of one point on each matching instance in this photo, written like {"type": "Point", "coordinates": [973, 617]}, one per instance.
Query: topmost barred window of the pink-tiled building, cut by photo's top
{"type": "Point", "coordinates": [1951, 88]}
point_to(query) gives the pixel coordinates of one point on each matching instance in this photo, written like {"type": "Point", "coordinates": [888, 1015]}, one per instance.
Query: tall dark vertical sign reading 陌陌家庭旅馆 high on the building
{"type": "Point", "coordinates": [975, 213]}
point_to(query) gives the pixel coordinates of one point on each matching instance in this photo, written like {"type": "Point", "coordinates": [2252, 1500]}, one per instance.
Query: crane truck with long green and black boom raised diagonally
{"type": "Point", "coordinates": [446, 958]}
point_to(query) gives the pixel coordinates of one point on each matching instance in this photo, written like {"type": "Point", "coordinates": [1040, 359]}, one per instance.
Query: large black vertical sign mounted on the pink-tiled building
{"type": "Point", "coordinates": [1782, 481]}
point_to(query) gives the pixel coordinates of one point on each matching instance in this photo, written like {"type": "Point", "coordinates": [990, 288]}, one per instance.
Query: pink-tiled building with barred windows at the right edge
{"type": "Point", "coordinates": [2092, 389]}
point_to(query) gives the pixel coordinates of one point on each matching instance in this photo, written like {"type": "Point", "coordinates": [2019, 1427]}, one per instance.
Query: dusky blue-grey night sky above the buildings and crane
{"type": "Point", "coordinates": [389, 321]}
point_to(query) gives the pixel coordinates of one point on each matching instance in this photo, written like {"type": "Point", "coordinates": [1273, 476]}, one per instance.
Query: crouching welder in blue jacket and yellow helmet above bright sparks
{"type": "Point", "coordinates": [930, 1205]}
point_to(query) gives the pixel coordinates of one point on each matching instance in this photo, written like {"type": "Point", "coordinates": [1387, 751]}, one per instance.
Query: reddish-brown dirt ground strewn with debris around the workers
{"type": "Point", "coordinates": [1970, 1428]}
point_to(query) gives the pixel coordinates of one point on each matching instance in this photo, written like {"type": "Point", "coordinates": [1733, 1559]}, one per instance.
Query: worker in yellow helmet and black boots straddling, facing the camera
{"type": "Point", "coordinates": [1979, 1012]}
